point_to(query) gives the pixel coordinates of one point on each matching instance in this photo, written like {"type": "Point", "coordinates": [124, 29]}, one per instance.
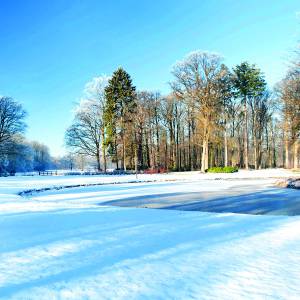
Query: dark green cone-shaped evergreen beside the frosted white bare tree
{"type": "Point", "coordinates": [119, 108]}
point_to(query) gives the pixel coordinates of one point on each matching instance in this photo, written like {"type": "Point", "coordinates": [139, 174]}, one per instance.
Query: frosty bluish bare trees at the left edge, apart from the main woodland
{"type": "Point", "coordinates": [16, 153]}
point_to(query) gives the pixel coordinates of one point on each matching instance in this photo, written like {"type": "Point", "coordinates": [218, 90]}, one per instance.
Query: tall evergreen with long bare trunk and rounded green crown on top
{"type": "Point", "coordinates": [249, 83]}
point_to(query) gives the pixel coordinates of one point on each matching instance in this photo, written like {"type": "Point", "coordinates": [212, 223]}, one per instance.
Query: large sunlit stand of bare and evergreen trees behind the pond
{"type": "Point", "coordinates": [213, 116]}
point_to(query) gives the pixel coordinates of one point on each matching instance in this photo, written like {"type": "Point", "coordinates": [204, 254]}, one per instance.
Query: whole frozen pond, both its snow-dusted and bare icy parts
{"type": "Point", "coordinates": [237, 196]}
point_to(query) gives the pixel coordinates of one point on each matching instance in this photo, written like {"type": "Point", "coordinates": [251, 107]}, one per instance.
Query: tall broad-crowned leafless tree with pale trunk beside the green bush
{"type": "Point", "coordinates": [197, 78]}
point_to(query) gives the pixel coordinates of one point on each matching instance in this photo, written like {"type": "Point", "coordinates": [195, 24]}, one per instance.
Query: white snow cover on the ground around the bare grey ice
{"type": "Point", "coordinates": [72, 244]}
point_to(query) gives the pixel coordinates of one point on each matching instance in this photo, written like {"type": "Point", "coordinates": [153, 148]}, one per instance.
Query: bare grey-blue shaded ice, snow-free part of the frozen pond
{"type": "Point", "coordinates": [273, 201]}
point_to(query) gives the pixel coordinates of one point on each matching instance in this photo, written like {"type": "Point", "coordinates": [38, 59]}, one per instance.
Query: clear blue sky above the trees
{"type": "Point", "coordinates": [51, 49]}
